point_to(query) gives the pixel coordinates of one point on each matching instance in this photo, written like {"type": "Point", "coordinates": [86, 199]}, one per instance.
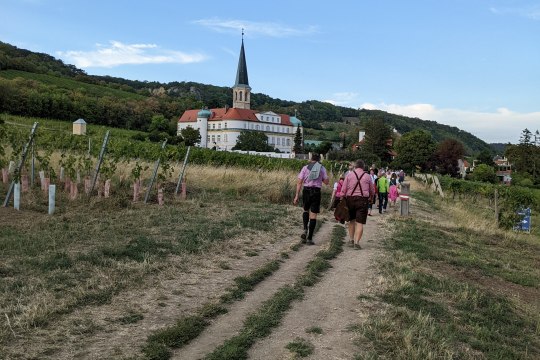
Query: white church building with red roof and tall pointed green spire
{"type": "Point", "coordinates": [220, 128]}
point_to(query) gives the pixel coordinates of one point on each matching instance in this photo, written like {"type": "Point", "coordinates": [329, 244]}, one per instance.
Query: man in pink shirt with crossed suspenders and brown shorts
{"type": "Point", "coordinates": [358, 191]}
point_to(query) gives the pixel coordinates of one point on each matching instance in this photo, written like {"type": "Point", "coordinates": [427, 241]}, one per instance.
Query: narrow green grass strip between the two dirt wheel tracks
{"type": "Point", "coordinates": [269, 315]}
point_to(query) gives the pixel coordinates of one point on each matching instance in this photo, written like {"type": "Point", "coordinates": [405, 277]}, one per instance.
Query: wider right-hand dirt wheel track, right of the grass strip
{"type": "Point", "coordinates": [331, 305]}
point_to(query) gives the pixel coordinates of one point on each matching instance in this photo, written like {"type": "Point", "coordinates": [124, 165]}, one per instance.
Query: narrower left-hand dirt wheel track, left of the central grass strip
{"type": "Point", "coordinates": [230, 324]}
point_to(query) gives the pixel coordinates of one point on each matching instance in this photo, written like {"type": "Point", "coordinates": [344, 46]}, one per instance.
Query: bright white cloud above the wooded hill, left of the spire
{"type": "Point", "coordinates": [118, 53]}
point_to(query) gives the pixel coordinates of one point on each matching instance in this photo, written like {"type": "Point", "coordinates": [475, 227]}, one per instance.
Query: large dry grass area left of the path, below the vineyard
{"type": "Point", "coordinates": [96, 250]}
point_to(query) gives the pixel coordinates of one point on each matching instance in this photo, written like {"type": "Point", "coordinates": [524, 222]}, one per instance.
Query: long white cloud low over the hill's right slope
{"type": "Point", "coordinates": [503, 125]}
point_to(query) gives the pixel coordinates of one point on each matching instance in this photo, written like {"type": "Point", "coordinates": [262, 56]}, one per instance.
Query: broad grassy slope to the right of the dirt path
{"type": "Point", "coordinates": [439, 304]}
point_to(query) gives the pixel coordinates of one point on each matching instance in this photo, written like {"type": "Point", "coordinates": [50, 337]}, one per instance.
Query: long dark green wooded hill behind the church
{"type": "Point", "coordinates": [36, 84]}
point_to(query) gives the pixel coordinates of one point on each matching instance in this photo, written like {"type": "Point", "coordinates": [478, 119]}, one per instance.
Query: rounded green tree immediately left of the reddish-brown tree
{"type": "Point", "coordinates": [415, 150]}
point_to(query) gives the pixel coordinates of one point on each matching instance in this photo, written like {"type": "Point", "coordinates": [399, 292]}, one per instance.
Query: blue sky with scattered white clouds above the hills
{"type": "Point", "coordinates": [474, 64]}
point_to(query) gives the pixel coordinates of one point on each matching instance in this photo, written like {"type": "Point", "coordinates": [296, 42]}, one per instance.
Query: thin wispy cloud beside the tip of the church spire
{"type": "Point", "coordinates": [253, 28]}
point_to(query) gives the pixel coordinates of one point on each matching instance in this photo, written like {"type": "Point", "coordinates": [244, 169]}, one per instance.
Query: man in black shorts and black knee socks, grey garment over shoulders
{"type": "Point", "coordinates": [312, 176]}
